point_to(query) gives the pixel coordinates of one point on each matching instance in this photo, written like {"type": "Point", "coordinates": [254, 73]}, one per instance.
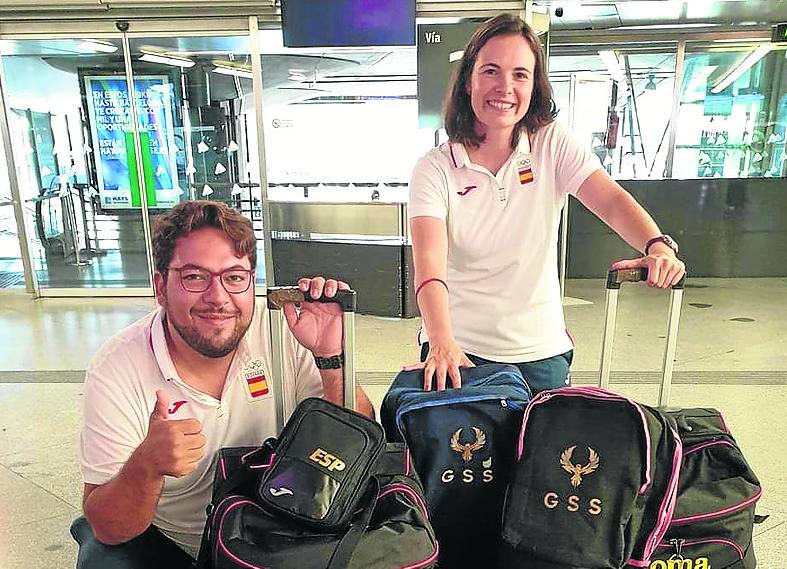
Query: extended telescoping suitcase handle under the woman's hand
{"type": "Point", "coordinates": [614, 280]}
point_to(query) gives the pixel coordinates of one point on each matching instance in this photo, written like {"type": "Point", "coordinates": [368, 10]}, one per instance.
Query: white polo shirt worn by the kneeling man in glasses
{"type": "Point", "coordinates": [120, 394]}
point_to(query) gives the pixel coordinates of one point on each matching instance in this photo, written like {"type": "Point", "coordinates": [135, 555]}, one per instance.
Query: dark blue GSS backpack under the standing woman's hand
{"type": "Point", "coordinates": [462, 446]}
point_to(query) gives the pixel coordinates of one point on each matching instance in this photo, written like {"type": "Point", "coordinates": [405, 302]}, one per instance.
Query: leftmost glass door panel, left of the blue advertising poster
{"type": "Point", "coordinates": [74, 240]}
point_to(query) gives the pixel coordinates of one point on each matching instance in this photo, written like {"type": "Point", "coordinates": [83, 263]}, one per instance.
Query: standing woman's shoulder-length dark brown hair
{"type": "Point", "coordinates": [459, 117]}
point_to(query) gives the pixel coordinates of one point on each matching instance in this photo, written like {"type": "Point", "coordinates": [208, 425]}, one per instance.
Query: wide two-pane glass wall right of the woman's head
{"type": "Point", "coordinates": [732, 112]}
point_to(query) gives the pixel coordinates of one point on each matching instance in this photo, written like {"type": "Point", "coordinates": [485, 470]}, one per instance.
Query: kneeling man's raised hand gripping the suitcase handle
{"type": "Point", "coordinates": [317, 325]}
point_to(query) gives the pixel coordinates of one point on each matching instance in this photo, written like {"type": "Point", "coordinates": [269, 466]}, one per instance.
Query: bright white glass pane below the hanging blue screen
{"type": "Point", "coordinates": [341, 124]}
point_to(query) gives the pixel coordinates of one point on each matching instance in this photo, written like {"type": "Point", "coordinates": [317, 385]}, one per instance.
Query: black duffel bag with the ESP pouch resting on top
{"type": "Point", "coordinates": [328, 494]}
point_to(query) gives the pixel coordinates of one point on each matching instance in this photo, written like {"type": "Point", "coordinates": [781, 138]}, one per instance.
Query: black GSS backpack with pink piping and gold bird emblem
{"type": "Point", "coordinates": [593, 485]}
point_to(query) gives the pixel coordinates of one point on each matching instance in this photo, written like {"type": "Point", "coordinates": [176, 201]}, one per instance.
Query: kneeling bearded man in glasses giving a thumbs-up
{"type": "Point", "coordinates": [165, 394]}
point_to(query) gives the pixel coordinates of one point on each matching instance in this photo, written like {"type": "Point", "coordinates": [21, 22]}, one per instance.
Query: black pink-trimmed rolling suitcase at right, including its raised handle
{"type": "Point", "coordinates": [717, 491]}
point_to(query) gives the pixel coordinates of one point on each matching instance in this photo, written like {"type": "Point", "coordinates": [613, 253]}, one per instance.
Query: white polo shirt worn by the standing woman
{"type": "Point", "coordinates": [504, 293]}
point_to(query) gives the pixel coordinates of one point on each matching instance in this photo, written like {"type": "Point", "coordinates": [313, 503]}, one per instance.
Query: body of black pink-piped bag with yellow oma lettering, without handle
{"type": "Point", "coordinates": [717, 493]}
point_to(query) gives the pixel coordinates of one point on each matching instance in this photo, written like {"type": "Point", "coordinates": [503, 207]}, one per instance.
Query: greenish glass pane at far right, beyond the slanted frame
{"type": "Point", "coordinates": [733, 113]}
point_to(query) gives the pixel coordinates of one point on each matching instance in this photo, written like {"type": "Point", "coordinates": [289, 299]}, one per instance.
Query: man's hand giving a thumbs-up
{"type": "Point", "coordinates": [172, 447]}
